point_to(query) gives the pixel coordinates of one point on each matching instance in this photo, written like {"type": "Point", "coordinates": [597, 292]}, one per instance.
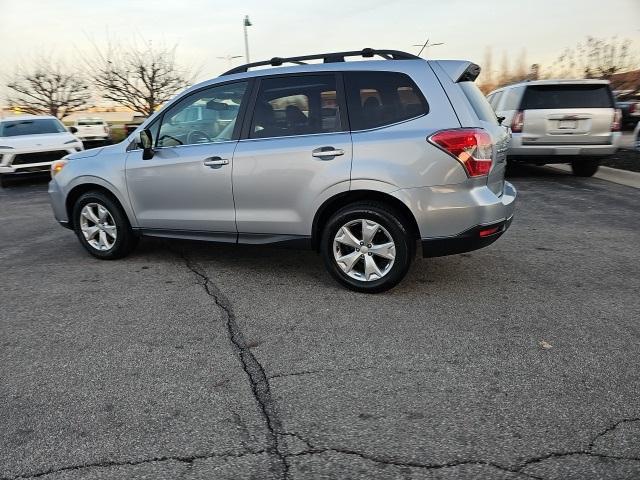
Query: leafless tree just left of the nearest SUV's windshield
{"type": "Point", "coordinates": [139, 78]}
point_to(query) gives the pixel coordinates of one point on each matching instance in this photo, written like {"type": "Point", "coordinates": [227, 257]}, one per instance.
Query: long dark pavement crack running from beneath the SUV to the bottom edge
{"type": "Point", "coordinates": [257, 377]}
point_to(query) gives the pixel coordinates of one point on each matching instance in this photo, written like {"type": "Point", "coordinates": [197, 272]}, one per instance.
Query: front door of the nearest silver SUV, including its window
{"type": "Point", "coordinates": [186, 186]}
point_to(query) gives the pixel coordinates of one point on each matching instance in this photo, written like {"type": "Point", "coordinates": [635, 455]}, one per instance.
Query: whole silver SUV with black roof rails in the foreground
{"type": "Point", "coordinates": [359, 160]}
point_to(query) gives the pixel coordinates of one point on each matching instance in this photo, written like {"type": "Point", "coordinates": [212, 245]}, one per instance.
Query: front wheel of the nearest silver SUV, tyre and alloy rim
{"type": "Point", "coordinates": [102, 227]}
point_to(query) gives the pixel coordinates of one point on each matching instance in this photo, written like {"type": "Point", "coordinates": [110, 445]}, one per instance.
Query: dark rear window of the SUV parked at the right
{"type": "Point", "coordinates": [567, 96]}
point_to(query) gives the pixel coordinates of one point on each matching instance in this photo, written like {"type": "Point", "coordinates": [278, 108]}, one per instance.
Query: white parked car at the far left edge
{"type": "Point", "coordinates": [30, 143]}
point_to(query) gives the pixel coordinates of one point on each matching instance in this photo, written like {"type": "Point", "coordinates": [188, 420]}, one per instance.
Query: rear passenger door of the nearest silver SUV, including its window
{"type": "Point", "coordinates": [294, 154]}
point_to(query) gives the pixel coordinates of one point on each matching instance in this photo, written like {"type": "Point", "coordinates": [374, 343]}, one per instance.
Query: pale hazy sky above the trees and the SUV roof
{"type": "Point", "coordinates": [206, 29]}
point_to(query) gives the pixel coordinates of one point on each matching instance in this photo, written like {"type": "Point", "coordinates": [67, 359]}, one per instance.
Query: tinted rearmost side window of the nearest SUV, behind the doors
{"type": "Point", "coordinates": [376, 99]}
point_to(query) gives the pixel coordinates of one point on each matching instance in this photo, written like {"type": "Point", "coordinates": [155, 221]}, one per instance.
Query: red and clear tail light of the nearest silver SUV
{"type": "Point", "coordinates": [470, 146]}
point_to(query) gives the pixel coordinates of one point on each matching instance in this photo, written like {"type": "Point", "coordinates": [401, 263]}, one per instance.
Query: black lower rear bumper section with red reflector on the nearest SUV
{"type": "Point", "coordinates": [473, 239]}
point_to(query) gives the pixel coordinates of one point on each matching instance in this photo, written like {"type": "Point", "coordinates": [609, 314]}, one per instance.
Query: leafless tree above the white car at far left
{"type": "Point", "coordinates": [48, 87]}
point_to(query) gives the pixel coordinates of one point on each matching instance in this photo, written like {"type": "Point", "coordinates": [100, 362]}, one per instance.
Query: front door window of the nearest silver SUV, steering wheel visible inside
{"type": "Point", "coordinates": [205, 116]}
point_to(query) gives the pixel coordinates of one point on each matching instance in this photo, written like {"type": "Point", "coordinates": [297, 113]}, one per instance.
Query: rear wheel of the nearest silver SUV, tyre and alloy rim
{"type": "Point", "coordinates": [367, 247]}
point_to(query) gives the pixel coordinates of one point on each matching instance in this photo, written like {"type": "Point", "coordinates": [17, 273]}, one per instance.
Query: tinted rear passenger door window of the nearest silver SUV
{"type": "Point", "coordinates": [296, 105]}
